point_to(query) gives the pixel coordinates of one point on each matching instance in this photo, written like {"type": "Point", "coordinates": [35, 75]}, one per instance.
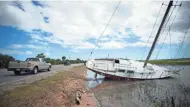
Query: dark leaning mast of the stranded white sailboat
{"type": "Point", "coordinates": [158, 33]}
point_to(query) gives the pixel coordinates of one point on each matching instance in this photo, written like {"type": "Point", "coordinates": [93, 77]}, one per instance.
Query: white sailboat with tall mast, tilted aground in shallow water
{"type": "Point", "coordinates": [131, 69]}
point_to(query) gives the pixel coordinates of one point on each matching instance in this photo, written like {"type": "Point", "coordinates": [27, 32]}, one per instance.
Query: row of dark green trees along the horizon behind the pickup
{"type": "Point", "coordinates": [4, 60]}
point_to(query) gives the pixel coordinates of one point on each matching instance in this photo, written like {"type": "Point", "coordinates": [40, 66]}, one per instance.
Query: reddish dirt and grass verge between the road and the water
{"type": "Point", "coordinates": [55, 91]}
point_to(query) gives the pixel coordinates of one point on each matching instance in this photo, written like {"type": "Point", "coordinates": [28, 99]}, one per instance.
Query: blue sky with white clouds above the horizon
{"type": "Point", "coordinates": [73, 29]}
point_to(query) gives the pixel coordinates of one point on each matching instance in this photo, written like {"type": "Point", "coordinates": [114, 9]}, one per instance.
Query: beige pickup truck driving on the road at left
{"type": "Point", "coordinates": [32, 65]}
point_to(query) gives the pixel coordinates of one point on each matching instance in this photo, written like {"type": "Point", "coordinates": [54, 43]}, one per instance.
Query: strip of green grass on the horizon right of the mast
{"type": "Point", "coordinates": [185, 61]}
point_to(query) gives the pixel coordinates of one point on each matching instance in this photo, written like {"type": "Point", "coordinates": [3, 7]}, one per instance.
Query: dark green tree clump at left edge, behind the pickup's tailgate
{"type": "Point", "coordinates": [4, 60]}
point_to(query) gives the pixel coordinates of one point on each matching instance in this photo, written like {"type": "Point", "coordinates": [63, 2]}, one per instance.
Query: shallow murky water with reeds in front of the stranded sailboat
{"type": "Point", "coordinates": [171, 92]}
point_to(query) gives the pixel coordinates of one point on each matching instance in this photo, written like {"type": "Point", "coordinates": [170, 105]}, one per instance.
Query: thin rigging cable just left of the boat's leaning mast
{"type": "Point", "coordinates": [152, 31]}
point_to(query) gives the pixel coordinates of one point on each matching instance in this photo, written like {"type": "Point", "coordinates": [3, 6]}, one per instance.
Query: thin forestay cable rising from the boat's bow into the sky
{"type": "Point", "coordinates": [105, 27]}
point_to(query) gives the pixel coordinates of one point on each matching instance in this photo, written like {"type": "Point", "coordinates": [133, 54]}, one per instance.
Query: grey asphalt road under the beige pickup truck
{"type": "Point", "coordinates": [9, 78]}
